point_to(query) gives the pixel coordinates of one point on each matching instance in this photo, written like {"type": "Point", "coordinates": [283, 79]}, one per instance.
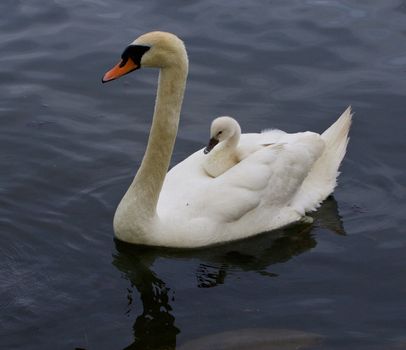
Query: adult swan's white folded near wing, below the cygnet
{"type": "Point", "coordinates": [268, 178]}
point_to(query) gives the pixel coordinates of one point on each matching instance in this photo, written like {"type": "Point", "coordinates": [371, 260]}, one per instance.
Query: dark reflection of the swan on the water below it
{"type": "Point", "coordinates": [155, 327]}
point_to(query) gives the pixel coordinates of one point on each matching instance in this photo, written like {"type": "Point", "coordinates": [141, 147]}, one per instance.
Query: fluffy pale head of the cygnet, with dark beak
{"type": "Point", "coordinates": [222, 129]}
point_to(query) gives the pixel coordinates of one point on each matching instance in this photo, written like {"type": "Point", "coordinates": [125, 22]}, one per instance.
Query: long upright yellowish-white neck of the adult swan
{"type": "Point", "coordinates": [144, 191]}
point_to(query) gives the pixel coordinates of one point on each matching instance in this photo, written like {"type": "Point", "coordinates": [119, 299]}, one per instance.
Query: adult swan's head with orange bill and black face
{"type": "Point", "coordinates": [154, 49]}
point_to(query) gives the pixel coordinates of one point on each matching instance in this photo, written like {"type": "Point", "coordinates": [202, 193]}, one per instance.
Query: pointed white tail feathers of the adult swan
{"type": "Point", "coordinates": [322, 179]}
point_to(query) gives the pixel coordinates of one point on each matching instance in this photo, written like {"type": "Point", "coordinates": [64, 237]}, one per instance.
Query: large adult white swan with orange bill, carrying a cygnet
{"type": "Point", "coordinates": [185, 207]}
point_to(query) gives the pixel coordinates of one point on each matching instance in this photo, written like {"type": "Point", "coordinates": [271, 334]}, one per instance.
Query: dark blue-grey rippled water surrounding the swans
{"type": "Point", "coordinates": [69, 146]}
